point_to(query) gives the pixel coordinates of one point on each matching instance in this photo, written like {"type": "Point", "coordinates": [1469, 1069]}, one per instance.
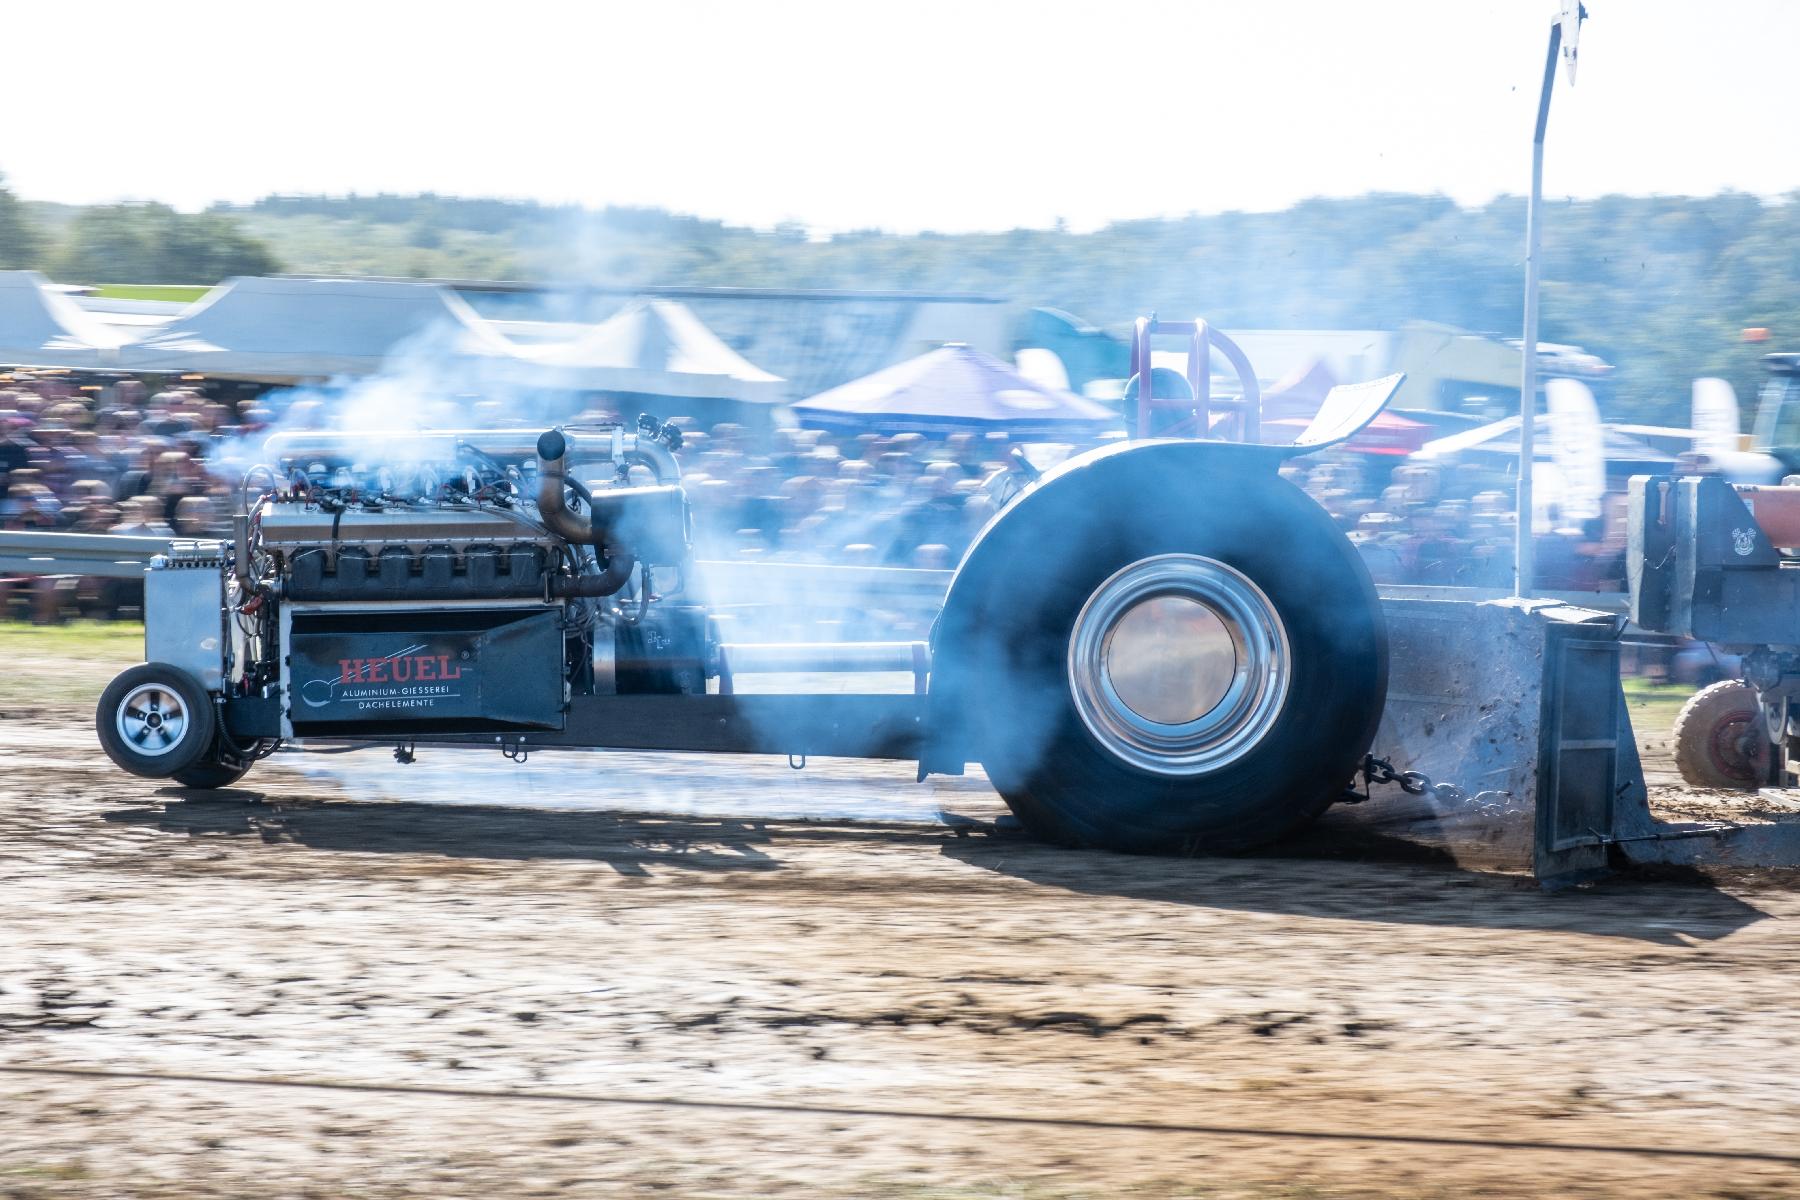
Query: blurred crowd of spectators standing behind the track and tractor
{"type": "Point", "coordinates": [121, 458]}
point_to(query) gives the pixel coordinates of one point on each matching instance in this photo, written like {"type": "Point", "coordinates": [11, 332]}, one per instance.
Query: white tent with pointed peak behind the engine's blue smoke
{"type": "Point", "coordinates": [652, 348]}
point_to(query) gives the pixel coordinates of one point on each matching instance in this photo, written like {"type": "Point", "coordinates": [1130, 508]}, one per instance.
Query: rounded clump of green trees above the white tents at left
{"type": "Point", "coordinates": [156, 244]}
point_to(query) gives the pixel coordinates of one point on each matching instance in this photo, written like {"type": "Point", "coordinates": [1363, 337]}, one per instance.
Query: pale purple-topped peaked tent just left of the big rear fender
{"type": "Point", "coordinates": [955, 390]}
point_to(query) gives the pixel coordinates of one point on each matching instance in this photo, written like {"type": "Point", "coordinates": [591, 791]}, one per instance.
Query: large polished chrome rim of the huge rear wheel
{"type": "Point", "coordinates": [1178, 665]}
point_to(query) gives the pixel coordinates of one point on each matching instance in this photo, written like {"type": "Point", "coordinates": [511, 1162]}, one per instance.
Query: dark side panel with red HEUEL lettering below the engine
{"type": "Point", "coordinates": [440, 672]}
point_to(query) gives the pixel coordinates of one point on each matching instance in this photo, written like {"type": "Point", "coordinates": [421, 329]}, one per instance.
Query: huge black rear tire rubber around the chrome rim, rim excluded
{"type": "Point", "coordinates": [1077, 794]}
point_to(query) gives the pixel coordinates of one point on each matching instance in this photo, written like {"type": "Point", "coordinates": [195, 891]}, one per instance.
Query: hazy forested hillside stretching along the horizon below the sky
{"type": "Point", "coordinates": [1662, 287]}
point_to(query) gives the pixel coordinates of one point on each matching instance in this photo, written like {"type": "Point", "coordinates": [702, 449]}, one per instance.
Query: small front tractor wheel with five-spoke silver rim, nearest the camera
{"type": "Point", "coordinates": [156, 721]}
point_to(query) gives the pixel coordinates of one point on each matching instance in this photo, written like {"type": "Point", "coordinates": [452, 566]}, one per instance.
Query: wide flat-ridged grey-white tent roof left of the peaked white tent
{"type": "Point", "coordinates": [282, 330]}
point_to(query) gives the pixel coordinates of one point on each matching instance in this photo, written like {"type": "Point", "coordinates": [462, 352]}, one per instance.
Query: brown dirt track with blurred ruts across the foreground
{"type": "Point", "coordinates": [793, 971]}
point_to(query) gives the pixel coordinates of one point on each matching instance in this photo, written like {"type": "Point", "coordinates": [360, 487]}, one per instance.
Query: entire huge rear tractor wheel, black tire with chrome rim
{"type": "Point", "coordinates": [1185, 674]}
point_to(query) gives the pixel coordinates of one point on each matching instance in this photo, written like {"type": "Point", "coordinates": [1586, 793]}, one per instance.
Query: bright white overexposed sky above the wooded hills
{"type": "Point", "coordinates": [975, 114]}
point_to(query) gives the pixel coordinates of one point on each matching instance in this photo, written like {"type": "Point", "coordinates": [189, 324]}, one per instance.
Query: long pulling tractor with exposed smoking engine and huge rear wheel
{"type": "Point", "coordinates": [1155, 647]}
